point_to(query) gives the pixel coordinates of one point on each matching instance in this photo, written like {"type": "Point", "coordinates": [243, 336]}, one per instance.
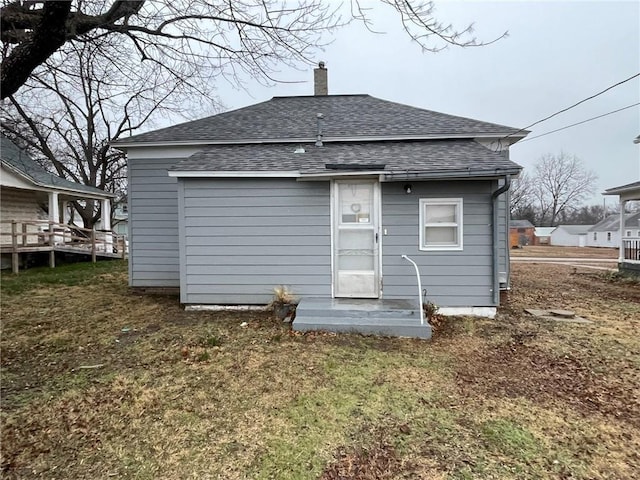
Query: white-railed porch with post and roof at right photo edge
{"type": "Point", "coordinates": [629, 227]}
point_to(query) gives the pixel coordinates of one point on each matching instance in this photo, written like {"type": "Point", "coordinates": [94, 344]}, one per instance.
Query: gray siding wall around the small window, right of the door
{"type": "Point", "coordinates": [452, 278]}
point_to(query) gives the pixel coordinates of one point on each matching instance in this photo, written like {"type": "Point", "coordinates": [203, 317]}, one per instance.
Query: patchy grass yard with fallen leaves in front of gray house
{"type": "Point", "coordinates": [98, 382]}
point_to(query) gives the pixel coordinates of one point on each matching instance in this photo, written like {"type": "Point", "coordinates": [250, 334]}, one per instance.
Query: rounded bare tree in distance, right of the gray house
{"type": "Point", "coordinates": [560, 184]}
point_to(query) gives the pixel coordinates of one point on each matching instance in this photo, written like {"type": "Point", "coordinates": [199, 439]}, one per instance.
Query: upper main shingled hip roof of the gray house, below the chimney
{"type": "Point", "coordinates": [346, 117]}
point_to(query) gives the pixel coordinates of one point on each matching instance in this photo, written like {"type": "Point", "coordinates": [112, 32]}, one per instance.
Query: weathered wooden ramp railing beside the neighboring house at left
{"type": "Point", "coordinates": [18, 236]}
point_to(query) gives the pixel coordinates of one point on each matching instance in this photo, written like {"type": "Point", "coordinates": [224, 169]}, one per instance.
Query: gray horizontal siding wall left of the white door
{"type": "Point", "coordinates": [242, 237]}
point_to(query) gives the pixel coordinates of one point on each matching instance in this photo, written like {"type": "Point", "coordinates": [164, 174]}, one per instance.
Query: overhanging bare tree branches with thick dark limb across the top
{"type": "Point", "coordinates": [190, 39]}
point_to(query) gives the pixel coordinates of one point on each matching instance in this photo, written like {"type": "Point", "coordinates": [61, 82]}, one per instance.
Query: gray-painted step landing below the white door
{"type": "Point", "coordinates": [390, 317]}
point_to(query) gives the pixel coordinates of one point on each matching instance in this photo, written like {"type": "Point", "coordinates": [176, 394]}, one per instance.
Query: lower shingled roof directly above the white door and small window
{"type": "Point", "coordinates": [464, 157]}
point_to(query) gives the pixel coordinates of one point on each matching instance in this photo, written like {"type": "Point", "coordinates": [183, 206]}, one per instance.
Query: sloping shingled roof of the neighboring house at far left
{"type": "Point", "coordinates": [20, 162]}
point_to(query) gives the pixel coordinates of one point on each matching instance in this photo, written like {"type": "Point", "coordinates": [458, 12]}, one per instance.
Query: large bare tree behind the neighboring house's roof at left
{"type": "Point", "coordinates": [69, 111]}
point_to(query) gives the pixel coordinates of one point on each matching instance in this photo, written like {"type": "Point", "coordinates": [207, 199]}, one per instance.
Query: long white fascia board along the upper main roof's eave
{"type": "Point", "coordinates": [326, 139]}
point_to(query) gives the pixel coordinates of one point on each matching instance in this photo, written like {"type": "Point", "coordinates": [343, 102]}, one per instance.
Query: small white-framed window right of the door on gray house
{"type": "Point", "coordinates": [440, 224]}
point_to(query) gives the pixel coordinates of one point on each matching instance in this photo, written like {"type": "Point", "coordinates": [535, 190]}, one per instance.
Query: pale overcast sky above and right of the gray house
{"type": "Point", "coordinates": [556, 54]}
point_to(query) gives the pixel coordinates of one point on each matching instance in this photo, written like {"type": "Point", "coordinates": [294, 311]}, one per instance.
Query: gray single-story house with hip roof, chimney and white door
{"type": "Point", "coordinates": [324, 194]}
